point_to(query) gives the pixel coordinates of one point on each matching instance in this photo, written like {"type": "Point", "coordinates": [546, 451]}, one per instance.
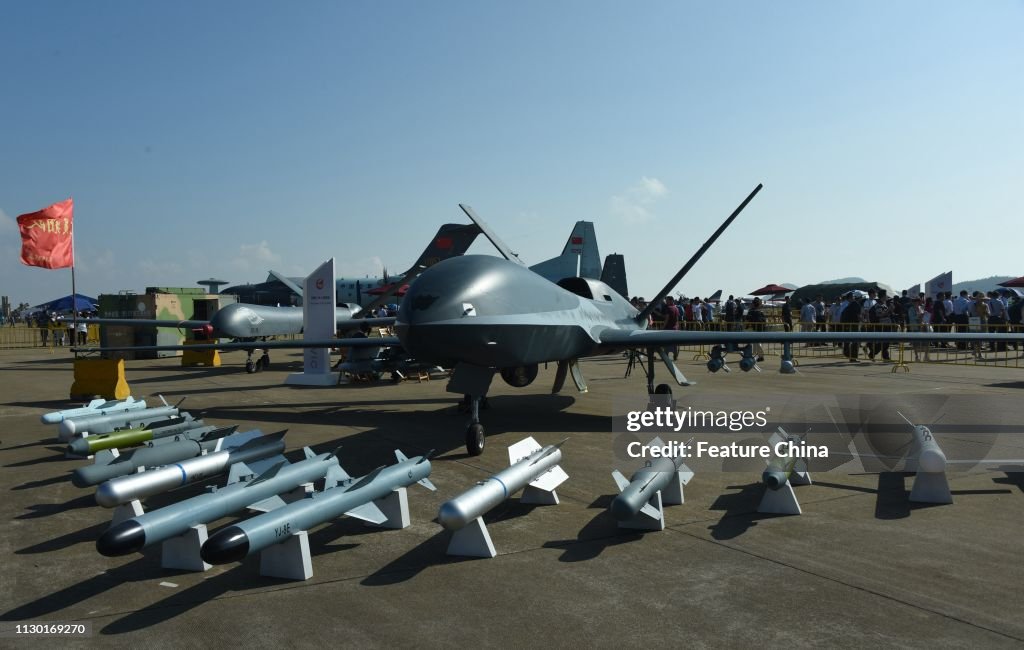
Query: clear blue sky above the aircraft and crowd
{"type": "Point", "coordinates": [227, 139]}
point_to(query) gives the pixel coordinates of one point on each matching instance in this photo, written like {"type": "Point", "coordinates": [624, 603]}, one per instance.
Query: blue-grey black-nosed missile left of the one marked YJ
{"type": "Point", "coordinates": [261, 493]}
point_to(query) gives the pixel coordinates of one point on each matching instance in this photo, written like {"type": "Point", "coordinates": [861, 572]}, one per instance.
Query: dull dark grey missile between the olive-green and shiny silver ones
{"type": "Point", "coordinates": [191, 444]}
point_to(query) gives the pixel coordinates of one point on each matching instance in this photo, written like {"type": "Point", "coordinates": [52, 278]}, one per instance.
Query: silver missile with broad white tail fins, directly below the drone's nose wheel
{"type": "Point", "coordinates": [539, 468]}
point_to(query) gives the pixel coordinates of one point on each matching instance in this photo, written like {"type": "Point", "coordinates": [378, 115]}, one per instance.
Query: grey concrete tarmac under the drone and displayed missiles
{"type": "Point", "coordinates": [862, 568]}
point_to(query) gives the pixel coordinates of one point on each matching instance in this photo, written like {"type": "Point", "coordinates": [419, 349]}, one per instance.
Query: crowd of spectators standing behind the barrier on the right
{"type": "Point", "coordinates": [855, 312]}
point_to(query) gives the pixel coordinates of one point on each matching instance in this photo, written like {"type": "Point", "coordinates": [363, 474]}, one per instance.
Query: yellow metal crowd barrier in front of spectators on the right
{"type": "Point", "coordinates": [901, 355]}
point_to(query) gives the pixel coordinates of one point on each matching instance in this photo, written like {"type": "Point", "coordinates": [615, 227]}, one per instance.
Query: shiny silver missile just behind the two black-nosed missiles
{"type": "Point", "coordinates": [138, 487]}
